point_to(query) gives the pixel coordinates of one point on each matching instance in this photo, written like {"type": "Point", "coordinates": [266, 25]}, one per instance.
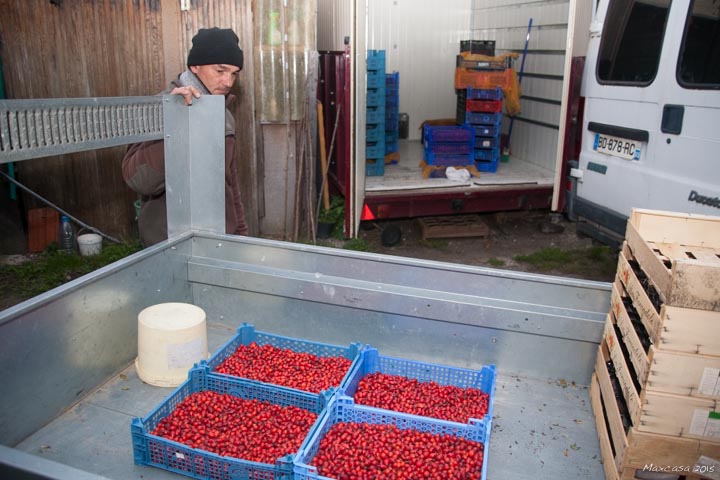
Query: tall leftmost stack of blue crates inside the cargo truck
{"type": "Point", "coordinates": [375, 114]}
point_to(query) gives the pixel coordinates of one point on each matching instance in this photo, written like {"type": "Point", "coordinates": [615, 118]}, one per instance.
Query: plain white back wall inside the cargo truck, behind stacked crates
{"type": "Point", "coordinates": [421, 39]}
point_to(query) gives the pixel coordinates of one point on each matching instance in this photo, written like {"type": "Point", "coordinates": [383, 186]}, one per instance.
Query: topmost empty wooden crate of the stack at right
{"type": "Point", "coordinates": [680, 254]}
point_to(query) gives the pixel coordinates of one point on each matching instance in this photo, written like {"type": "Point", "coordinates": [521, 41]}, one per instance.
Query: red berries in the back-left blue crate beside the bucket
{"type": "Point", "coordinates": [285, 367]}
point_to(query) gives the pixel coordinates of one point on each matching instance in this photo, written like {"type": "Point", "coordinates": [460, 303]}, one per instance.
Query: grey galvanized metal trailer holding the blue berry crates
{"type": "Point", "coordinates": [69, 387]}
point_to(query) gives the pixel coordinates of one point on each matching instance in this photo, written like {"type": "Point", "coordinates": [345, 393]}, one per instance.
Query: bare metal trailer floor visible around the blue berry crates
{"type": "Point", "coordinates": [543, 428]}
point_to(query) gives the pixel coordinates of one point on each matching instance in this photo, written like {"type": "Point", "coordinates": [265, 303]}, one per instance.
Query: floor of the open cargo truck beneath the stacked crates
{"type": "Point", "coordinates": [407, 174]}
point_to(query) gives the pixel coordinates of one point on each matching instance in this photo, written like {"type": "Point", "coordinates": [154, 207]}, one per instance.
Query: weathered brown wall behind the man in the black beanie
{"type": "Point", "coordinates": [106, 48]}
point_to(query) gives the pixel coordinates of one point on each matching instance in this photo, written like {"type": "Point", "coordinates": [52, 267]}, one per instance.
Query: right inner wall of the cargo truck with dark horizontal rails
{"type": "Point", "coordinates": [535, 131]}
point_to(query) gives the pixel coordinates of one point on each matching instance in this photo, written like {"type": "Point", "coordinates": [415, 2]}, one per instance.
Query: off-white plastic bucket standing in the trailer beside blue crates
{"type": "Point", "coordinates": [172, 337]}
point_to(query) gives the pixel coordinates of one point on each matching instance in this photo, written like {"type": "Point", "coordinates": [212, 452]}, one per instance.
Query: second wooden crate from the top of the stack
{"type": "Point", "coordinates": [676, 328]}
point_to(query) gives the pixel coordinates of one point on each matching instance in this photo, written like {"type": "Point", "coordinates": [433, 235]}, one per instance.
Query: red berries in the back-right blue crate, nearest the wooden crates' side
{"type": "Point", "coordinates": [429, 399]}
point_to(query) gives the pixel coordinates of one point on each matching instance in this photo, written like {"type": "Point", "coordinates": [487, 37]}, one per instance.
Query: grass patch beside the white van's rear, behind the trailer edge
{"type": "Point", "coordinates": [600, 260]}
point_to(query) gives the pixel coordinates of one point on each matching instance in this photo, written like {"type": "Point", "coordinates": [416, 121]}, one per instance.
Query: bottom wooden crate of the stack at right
{"type": "Point", "coordinates": [625, 449]}
